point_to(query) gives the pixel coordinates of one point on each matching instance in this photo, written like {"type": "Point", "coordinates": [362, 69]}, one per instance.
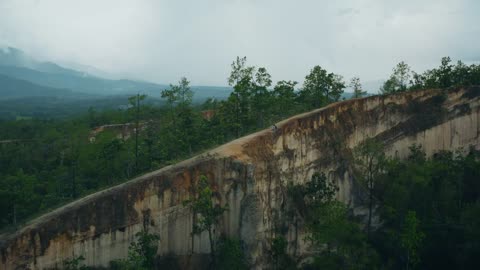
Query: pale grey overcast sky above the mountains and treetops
{"type": "Point", "coordinates": [161, 41]}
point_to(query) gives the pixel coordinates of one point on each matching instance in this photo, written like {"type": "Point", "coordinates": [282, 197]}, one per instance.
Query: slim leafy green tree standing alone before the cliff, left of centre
{"type": "Point", "coordinates": [206, 212]}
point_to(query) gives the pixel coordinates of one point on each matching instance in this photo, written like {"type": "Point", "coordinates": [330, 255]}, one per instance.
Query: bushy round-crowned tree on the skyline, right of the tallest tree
{"type": "Point", "coordinates": [321, 88]}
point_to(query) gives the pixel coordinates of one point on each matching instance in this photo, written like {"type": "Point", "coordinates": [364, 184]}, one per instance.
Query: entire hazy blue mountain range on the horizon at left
{"type": "Point", "coordinates": [29, 87]}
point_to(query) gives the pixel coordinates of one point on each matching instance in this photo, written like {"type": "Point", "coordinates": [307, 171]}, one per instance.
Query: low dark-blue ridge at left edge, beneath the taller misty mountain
{"type": "Point", "coordinates": [15, 88]}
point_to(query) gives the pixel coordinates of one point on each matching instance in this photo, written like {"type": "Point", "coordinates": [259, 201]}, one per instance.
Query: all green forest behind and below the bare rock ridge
{"type": "Point", "coordinates": [429, 207]}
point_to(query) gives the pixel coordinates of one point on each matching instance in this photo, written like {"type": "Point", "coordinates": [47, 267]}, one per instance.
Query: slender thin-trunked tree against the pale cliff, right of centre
{"type": "Point", "coordinates": [369, 162]}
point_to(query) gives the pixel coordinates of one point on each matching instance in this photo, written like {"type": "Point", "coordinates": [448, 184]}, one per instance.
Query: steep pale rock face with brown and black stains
{"type": "Point", "coordinates": [250, 174]}
